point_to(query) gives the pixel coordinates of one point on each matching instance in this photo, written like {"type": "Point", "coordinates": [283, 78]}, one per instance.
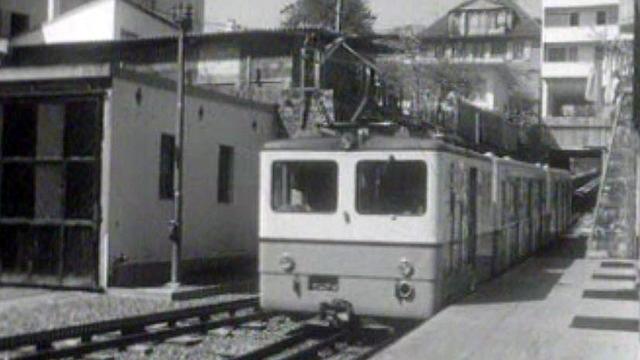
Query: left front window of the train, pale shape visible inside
{"type": "Point", "coordinates": [305, 186]}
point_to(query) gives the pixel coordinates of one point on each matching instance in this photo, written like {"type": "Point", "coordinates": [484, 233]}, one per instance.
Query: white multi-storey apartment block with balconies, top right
{"type": "Point", "coordinates": [575, 34]}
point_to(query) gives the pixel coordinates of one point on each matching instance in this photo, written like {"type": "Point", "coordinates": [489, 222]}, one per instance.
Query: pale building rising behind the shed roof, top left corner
{"type": "Point", "coordinates": [55, 21]}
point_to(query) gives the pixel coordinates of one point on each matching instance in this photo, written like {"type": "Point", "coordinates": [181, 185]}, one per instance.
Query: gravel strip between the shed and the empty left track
{"type": "Point", "coordinates": [74, 308]}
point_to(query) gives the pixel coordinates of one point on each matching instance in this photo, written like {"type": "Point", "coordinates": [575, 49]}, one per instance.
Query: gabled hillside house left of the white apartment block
{"type": "Point", "coordinates": [498, 39]}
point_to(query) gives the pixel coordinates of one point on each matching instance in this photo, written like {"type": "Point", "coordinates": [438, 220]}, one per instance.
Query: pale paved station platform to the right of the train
{"type": "Point", "coordinates": [557, 305]}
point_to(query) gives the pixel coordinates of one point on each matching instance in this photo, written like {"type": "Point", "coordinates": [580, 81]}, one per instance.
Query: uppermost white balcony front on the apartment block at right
{"type": "Point", "coordinates": [580, 34]}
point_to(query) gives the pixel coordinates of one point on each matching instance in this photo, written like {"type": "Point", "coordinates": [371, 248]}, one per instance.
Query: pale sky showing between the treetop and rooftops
{"type": "Point", "coordinates": [390, 13]}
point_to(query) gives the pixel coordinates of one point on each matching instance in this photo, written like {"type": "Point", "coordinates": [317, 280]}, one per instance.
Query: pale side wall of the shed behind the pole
{"type": "Point", "coordinates": [137, 219]}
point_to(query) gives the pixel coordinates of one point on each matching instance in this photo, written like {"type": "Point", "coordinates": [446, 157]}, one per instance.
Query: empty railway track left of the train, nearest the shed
{"type": "Point", "coordinates": [120, 333]}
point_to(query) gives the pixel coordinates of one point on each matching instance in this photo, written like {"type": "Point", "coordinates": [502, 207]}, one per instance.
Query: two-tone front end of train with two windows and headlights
{"type": "Point", "coordinates": [348, 226]}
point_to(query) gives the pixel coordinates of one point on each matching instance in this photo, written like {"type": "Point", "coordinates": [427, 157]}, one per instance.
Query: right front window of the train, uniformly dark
{"type": "Point", "coordinates": [391, 187]}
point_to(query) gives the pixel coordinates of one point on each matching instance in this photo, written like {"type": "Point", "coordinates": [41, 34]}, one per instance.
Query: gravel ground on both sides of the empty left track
{"type": "Point", "coordinates": [73, 308]}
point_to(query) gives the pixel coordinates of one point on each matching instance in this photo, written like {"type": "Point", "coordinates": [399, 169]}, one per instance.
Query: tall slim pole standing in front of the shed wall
{"type": "Point", "coordinates": [183, 18]}
